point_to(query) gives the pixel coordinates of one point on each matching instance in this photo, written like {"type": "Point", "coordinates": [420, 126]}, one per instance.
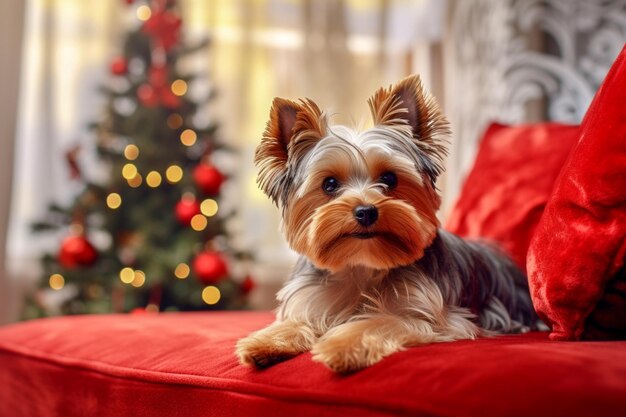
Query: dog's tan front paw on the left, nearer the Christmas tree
{"type": "Point", "coordinates": [276, 343]}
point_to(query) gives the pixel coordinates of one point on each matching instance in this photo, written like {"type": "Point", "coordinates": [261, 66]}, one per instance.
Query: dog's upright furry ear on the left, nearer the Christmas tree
{"type": "Point", "coordinates": [292, 130]}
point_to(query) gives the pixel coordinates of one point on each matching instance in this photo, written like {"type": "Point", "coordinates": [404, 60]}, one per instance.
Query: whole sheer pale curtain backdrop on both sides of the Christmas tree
{"type": "Point", "coordinates": [336, 52]}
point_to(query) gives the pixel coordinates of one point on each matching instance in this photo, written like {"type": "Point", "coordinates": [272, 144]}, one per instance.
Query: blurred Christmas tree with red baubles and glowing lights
{"type": "Point", "coordinates": [166, 242]}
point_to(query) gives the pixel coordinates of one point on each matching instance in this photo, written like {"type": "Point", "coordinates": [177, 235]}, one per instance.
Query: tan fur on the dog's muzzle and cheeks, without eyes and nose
{"type": "Point", "coordinates": [320, 226]}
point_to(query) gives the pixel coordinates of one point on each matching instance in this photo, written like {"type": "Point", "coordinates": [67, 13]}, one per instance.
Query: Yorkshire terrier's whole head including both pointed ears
{"type": "Point", "coordinates": [357, 198]}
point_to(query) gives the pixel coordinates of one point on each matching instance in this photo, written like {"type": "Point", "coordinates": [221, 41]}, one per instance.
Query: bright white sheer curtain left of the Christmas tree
{"type": "Point", "coordinates": [66, 47]}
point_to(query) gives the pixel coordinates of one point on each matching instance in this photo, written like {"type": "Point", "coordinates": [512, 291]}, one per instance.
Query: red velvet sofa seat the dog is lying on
{"type": "Point", "coordinates": [184, 365]}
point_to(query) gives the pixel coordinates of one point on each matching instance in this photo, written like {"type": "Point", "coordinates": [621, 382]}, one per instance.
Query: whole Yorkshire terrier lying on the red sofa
{"type": "Point", "coordinates": [376, 273]}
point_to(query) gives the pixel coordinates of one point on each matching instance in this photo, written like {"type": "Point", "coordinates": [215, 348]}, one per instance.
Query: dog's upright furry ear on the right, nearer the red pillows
{"type": "Point", "coordinates": [407, 103]}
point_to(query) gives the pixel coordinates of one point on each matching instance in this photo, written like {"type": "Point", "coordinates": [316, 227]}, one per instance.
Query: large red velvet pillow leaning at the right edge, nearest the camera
{"type": "Point", "coordinates": [580, 244]}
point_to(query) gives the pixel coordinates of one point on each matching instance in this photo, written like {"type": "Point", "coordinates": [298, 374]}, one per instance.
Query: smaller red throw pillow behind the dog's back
{"type": "Point", "coordinates": [506, 191]}
